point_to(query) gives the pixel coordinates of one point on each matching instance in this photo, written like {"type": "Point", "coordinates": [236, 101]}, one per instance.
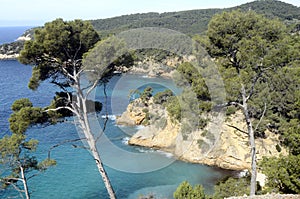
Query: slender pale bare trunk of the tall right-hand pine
{"type": "Point", "coordinates": [252, 143]}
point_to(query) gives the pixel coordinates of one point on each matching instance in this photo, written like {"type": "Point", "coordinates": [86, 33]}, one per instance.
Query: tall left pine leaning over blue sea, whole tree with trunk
{"type": "Point", "coordinates": [57, 53]}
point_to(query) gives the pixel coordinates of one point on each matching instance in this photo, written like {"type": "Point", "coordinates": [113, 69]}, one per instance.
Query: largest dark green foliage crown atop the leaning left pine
{"type": "Point", "coordinates": [54, 49]}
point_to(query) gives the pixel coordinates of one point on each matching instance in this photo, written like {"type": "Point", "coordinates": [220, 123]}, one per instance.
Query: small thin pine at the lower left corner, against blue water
{"type": "Point", "coordinates": [17, 152]}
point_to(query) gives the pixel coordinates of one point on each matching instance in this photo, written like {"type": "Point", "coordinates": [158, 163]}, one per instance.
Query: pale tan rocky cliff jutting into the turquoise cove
{"type": "Point", "coordinates": [219, 144]}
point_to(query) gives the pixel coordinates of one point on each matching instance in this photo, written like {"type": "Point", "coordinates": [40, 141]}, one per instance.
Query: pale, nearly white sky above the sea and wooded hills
{"type": "Point", "coordinates": [37, 12]}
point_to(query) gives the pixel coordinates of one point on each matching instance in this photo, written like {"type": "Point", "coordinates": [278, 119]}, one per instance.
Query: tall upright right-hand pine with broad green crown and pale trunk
{"type": "Point", "coordinates": [249, 47]}
